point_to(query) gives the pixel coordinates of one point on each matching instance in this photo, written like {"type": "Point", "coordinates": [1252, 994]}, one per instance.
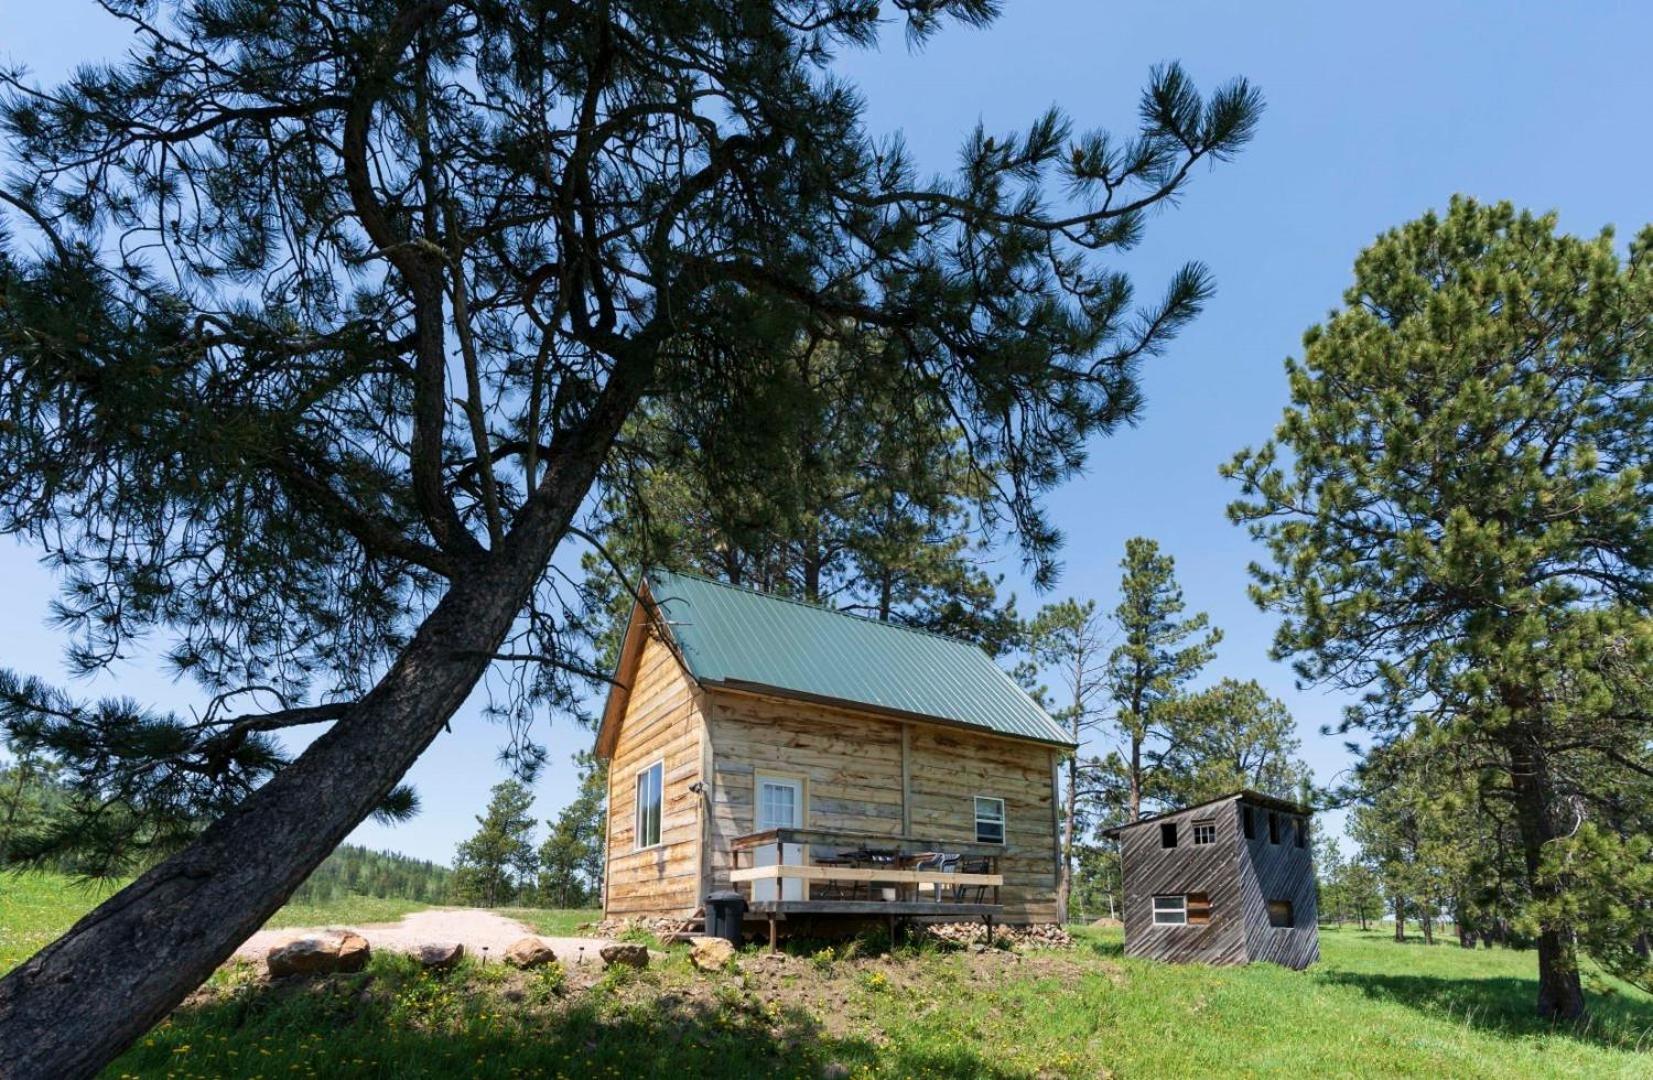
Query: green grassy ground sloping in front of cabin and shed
{"type": "Point", "coordinates": [1371, 1008]}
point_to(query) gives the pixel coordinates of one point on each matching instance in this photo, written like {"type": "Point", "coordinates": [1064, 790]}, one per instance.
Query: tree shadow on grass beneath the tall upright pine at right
{"type": "Point", "coordinates": [1507, 1006]}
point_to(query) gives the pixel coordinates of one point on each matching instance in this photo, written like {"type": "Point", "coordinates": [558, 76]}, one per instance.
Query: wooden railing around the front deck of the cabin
{"type": "Point", "coordinates": [847, 866]}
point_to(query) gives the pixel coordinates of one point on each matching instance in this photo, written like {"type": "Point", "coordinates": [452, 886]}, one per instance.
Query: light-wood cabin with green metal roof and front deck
{"type": "Point", "coordinates": [822, 765]}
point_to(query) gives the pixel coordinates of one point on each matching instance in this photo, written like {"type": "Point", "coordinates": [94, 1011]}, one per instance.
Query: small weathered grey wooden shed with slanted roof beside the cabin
{"type": "Point", "coordinates": [1224, 882]}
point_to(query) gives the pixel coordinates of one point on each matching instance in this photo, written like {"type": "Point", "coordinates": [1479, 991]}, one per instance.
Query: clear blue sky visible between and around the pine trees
{"type": "Point", "coordinates": [1376, 113]}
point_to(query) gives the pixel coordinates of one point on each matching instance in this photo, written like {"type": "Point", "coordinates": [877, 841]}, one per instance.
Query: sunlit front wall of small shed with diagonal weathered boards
{"type": "Point", "coordinates": [1153, 871]}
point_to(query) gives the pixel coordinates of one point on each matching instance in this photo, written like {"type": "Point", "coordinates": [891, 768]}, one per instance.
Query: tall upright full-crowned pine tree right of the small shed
{"type": "Point", "coordinates": [1460, 512]}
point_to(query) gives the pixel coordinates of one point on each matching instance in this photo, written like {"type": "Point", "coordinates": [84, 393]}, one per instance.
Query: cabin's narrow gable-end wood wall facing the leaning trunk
{"type": "Point", "coordinates": [662, 724]}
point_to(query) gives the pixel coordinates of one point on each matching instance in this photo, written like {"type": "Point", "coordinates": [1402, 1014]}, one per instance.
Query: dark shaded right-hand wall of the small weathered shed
{"type": "Point", "coordinates": [1280, 872]}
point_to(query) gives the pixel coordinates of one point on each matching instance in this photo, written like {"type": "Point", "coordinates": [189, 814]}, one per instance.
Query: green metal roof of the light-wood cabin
{"type": "Point", "coordinates": [735, 638]}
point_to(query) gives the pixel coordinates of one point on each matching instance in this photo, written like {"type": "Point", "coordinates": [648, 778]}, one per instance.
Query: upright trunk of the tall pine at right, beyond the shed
{"type": "Point", "coordinates": [1561, 992]}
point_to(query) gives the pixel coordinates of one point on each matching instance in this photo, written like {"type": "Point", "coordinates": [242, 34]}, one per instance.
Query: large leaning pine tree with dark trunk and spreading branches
{"type": "Point", "coordinates": [318, 325]}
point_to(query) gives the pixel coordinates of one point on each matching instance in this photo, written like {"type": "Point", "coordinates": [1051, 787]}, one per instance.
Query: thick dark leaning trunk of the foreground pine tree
{"type": "Point", "coordinates": [85, 998]}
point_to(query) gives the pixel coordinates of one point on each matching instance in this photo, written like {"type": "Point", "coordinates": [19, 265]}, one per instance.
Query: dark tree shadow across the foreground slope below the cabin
{"type": "Point", "coordinates": [396, 1023]}
